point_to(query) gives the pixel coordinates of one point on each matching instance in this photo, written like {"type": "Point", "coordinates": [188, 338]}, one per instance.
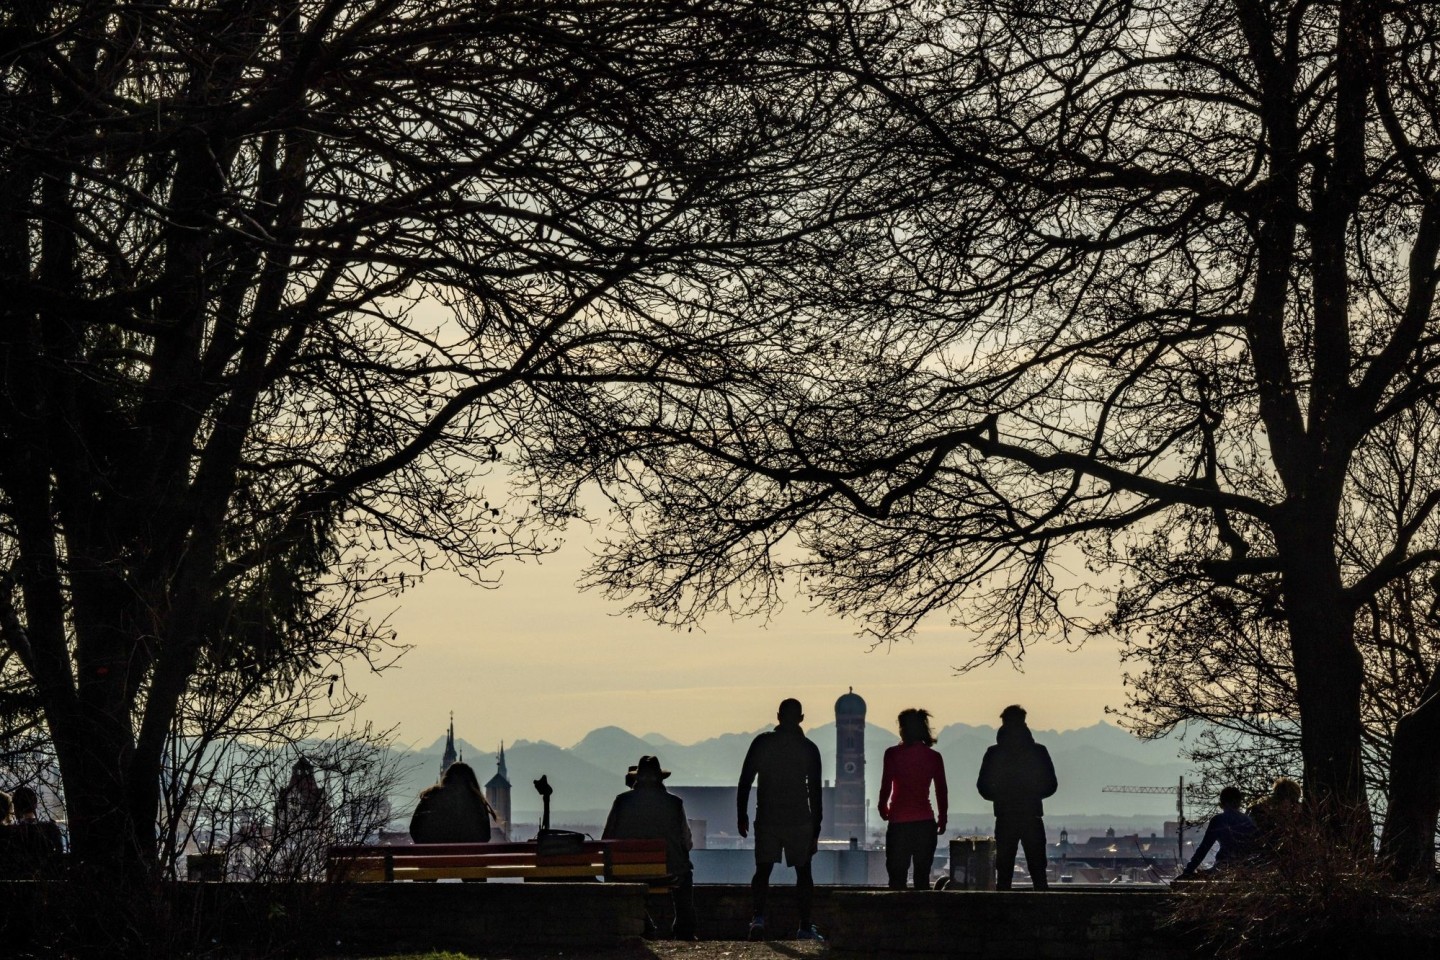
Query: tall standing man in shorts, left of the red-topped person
{"type": "Point", "coordinates": [787, 812]}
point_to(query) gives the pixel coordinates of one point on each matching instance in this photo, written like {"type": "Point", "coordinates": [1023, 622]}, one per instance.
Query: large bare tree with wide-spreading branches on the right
{"type": "Point", "coordinates": [1104, 280]}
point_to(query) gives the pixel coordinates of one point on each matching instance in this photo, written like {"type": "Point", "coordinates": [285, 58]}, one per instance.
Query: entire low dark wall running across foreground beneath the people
{"type": "Point", "coordinates": [365, 920]}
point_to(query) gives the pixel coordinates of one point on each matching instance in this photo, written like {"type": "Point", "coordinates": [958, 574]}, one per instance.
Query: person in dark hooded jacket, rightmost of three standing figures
{"type": "Point", "coordinates": [1016, 776]}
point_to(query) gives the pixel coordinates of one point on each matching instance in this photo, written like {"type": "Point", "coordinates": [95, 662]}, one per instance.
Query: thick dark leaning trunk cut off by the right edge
{"type": "Point", "coordinates": [1413, 805]}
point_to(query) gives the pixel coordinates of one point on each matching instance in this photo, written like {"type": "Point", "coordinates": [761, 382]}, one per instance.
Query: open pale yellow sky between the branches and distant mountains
{"type": "Point", "coordinates": [538, 660]}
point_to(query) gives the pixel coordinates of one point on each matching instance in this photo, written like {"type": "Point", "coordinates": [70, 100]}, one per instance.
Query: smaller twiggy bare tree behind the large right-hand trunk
{"type": "Point", "coordinates": [1219, 654]}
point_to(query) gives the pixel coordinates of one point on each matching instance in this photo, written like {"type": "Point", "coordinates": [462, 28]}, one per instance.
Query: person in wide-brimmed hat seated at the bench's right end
{"type": "Point", "coordinates": [650, 812]}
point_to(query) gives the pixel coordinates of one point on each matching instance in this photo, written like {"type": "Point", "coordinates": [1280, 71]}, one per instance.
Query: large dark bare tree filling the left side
{"type": "Point", "coordinates": [282, 281]}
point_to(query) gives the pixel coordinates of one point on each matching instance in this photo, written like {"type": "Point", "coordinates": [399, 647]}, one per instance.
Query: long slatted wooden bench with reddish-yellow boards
{"type": "Point", "coordinates": [633, 861]}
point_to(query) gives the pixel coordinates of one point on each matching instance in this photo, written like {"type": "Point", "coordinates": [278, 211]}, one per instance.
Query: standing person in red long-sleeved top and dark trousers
{"type": "Point", "coordinates": [905, 801]}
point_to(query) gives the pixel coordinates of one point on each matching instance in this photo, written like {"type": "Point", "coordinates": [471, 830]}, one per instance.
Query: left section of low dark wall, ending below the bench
{"type": "Point", "coordinates": [359, 920]}
